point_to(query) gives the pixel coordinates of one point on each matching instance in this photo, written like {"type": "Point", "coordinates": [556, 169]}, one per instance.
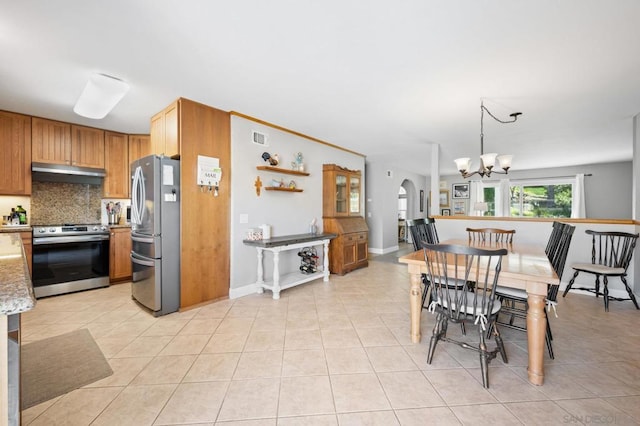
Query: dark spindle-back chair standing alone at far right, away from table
{"type": "Point", "coordinates": [611, 254]}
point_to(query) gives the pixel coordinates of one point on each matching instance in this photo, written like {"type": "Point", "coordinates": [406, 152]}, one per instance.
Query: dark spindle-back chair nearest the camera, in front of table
{"type": "Point", "coordinates": [447, 265]}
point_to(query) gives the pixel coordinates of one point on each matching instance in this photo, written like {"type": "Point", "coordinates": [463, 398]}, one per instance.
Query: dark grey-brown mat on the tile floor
{"type": "Point", "coordinates": [57, 365]}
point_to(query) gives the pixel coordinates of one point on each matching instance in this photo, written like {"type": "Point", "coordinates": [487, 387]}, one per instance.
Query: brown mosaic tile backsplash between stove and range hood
{"type": "Point", "coordinates": [55, 203]}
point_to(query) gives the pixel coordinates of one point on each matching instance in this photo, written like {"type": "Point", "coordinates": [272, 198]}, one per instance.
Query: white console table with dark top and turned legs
{"type": "Point", "coordinates": [284, 243]}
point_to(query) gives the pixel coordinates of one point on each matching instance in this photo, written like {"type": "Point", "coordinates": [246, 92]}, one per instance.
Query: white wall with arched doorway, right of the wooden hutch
{"type": "Point", "coordinates": [381, 195]}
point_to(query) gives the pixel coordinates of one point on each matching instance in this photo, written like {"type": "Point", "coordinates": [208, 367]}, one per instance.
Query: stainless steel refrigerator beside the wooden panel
{"type": "Point", "coordinates": [155, 233]}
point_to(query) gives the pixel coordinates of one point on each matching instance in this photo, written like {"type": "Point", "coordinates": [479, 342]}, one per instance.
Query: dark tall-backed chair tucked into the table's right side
{"type": "Point", "coordinates": [515, 301]}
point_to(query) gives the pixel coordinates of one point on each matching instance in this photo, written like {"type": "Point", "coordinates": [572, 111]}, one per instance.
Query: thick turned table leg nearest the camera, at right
{"type": "Point", "coordinates": [536, 329]}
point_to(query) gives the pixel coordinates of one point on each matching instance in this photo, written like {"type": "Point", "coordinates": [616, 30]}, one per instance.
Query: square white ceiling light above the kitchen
{"type": "Point", "coordinates": [100, 95]}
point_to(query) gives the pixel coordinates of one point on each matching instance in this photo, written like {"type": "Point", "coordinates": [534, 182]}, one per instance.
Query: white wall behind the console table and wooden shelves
{"type": "Point", "coordinates": [288, 213]}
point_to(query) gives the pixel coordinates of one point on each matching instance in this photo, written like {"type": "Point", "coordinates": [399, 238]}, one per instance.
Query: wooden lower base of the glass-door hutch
{"type": "Point", "coordinates": [350, 249]}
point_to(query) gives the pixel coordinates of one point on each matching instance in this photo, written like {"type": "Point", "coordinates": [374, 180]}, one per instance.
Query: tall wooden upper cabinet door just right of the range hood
{"type": "Point", "coordinates": [116, 163]}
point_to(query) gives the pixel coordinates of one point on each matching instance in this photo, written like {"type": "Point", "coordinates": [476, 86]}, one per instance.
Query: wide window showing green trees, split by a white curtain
{"type": "Point", "coordinates": [543, 198]}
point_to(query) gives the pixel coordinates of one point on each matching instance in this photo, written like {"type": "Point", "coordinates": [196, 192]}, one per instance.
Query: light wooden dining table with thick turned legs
{"type": "Point", "coordinates": [525, 267]}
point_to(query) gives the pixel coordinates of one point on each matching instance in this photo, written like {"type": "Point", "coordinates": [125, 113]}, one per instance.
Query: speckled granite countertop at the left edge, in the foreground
{"type": "Point", "coordinates": [16, 290]}
